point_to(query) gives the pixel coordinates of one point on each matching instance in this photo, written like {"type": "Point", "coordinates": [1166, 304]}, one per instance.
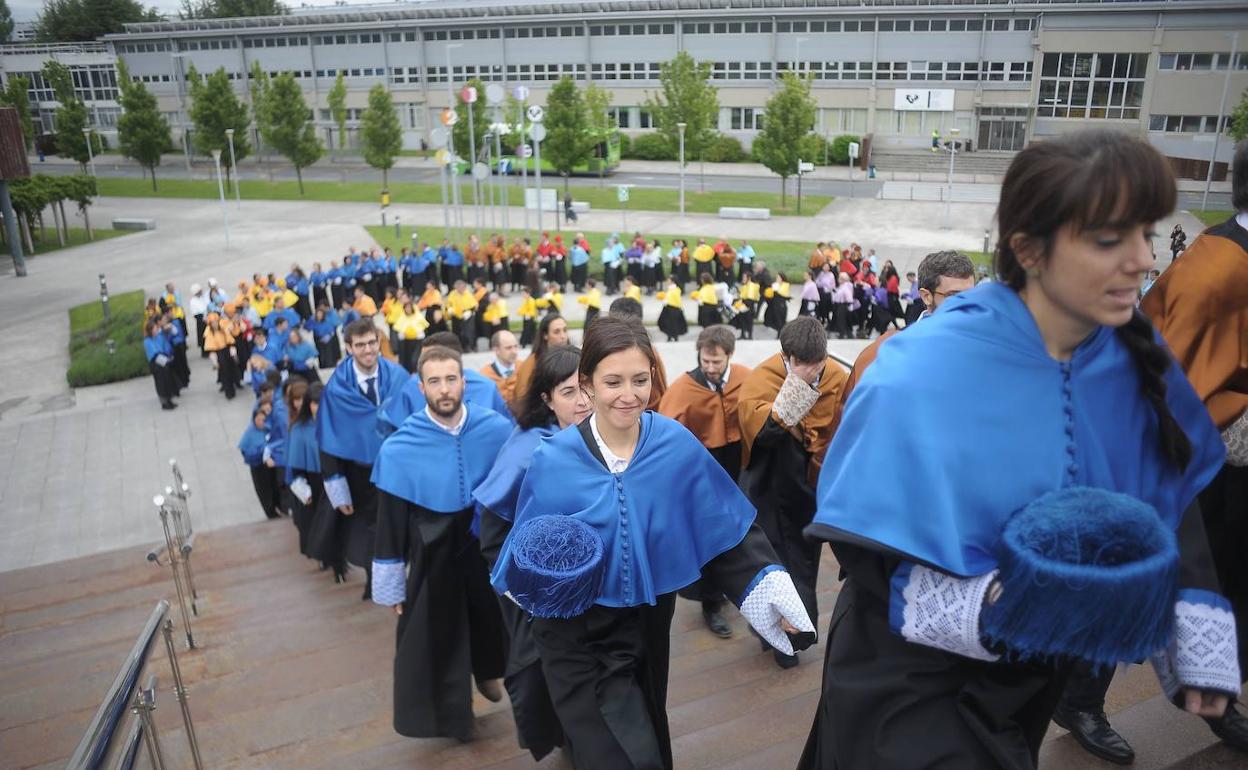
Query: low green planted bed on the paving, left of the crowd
{"type": "Point", "coordinates": [90, 360]}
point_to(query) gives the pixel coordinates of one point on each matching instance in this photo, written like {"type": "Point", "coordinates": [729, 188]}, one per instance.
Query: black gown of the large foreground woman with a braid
{"type": "Point", "coordinates": [890, 703]}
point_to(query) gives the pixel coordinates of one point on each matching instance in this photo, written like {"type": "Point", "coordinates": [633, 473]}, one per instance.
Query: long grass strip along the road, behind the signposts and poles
{"type": "Point", "coordinates": [411, 193]}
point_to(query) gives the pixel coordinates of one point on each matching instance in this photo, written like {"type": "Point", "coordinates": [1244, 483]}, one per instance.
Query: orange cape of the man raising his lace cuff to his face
{"type": "Point", "coordinates": [816, 429]}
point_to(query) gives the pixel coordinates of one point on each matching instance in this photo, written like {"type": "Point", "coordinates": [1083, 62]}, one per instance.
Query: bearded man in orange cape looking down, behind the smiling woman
{"type": "Point", "coordinates": [704, 401]}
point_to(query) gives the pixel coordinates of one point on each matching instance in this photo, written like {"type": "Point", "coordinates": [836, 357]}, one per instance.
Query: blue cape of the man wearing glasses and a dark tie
{"type": "Point", "coordinates": [349, 425]}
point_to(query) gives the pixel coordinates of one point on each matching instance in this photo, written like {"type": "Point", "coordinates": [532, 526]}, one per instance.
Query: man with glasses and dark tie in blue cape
{"type": "Point", "coordinates": [349, 435]}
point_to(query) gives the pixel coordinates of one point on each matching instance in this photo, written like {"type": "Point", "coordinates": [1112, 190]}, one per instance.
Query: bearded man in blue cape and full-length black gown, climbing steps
{"type": "Point", "coordinates": [450, 626]}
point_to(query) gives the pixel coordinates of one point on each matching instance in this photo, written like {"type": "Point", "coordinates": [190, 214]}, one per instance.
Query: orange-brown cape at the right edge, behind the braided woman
{"type": "Point", "coordinates": [1200, 305]}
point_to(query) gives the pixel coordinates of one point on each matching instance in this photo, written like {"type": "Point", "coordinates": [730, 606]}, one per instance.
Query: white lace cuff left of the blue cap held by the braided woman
{"type": "Point", "coordinates": [937, 610]}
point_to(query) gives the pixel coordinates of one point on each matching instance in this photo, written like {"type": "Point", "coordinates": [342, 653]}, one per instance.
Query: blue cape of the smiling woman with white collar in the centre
{"type": "Point", "coordinates": [666, 517]}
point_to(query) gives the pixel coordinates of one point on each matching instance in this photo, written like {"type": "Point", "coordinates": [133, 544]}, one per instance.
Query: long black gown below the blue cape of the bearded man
{"type": "Point", "coordinates": [451, 627]}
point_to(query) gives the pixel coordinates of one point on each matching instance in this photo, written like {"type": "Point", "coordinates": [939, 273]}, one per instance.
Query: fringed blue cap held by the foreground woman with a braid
{"type": "Point", "coordinates": [1086, 573]}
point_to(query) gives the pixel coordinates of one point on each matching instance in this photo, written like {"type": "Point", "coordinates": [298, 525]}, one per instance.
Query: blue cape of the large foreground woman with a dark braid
{"type": "Point", "coordinates": [999, 424]}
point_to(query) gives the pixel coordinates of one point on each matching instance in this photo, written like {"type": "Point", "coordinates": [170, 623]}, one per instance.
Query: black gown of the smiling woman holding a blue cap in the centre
{"type": "Point", "coordinates": [608, 668]}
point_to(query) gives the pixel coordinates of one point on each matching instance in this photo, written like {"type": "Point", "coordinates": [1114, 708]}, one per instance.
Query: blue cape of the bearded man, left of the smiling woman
{"type": "Point", "coordinates": [429, 467]}
